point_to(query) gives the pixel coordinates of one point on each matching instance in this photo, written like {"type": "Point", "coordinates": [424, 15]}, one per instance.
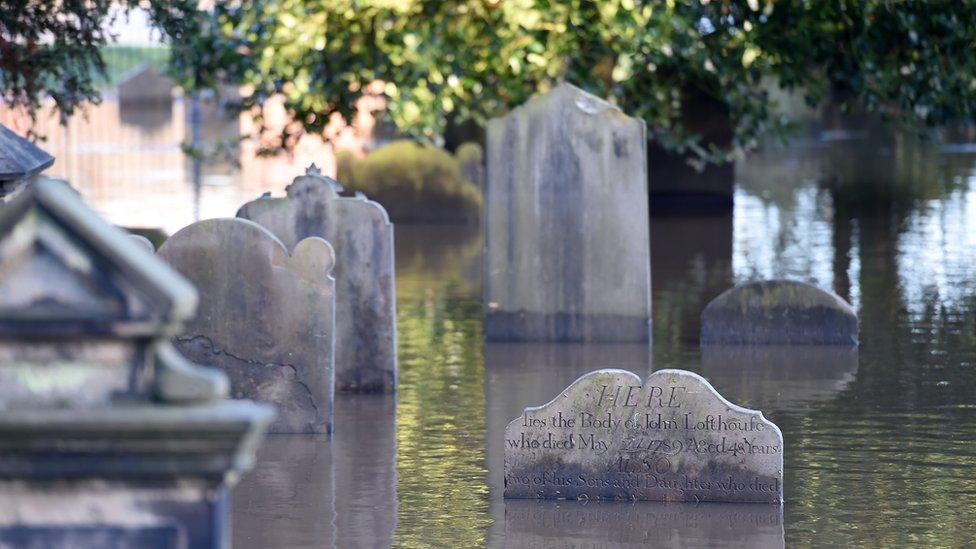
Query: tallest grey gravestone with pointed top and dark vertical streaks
{"type": "Point", "coordinates": [567, 238]}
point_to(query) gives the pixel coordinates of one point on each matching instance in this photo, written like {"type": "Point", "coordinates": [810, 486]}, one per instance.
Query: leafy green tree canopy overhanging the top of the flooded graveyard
{"type": "Point", "coordinates": [910, 60]}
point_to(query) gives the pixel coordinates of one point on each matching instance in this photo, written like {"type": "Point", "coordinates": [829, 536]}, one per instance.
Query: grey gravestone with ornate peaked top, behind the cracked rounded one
{"type": "Point", "coordinates": [362, 236]}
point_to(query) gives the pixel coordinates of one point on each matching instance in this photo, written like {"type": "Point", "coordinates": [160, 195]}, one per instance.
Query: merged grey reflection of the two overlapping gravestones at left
{"type": "Point", "coordinates": [312, 491]}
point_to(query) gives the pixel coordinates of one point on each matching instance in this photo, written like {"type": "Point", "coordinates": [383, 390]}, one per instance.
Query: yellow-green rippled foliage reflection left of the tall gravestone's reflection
{"type": "Point", "coordinates": [443, 494]}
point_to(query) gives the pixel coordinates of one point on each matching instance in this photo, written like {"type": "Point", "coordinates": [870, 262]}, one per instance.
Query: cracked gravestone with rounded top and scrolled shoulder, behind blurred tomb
{"type": "Point", "coordinates": [265, 318]}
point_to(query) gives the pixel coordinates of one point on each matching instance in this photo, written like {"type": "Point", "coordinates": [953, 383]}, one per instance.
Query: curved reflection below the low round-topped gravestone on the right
{"type": "Point", "coordinates": [779, 377]}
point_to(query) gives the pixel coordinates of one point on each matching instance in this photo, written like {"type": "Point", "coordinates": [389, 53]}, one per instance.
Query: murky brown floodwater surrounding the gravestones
{"type": "Point", "coordinates": [880, 443]}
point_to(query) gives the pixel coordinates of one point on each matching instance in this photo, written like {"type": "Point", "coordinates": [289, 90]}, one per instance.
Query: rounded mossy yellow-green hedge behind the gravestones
{"type": "Point", "coordinates": [415, 183]}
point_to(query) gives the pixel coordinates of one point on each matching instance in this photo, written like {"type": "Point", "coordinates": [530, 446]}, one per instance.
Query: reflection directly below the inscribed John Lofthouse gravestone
{"type": "Point", "coordinates": [575, 524]}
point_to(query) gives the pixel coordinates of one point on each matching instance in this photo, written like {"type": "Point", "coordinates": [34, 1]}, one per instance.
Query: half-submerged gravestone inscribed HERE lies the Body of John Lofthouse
{"type": "Point", "coordinates": [672, 438]}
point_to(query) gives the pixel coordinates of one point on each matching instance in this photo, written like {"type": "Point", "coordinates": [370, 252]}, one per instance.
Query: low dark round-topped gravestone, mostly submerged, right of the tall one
{"type": "Point", "coordinates": [784, 312]}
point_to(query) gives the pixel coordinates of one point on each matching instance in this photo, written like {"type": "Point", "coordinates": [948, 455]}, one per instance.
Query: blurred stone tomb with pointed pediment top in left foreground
{"type": "Point", "coordinates": [108, 437]}
